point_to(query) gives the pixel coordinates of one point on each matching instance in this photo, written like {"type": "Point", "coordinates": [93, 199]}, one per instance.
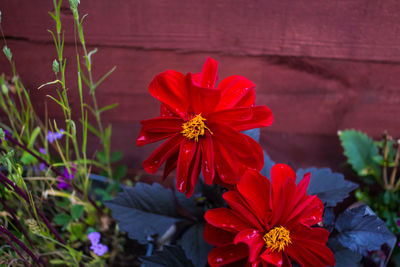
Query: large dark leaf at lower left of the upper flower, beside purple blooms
{"type": "Point", "coordinates": [144, 210]}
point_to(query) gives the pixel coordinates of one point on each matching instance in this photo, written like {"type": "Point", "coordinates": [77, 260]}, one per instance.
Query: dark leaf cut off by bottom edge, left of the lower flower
{"type": "Point", "coordinates": [170, 256]}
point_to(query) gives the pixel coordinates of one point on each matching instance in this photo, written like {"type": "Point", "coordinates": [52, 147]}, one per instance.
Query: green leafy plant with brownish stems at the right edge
{"type": "Point", "coordinates": [376, 164]}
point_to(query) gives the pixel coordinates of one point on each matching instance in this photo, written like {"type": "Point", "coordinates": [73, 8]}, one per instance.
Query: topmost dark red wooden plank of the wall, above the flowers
{"type": "Point", "coordinates": [353, 29]}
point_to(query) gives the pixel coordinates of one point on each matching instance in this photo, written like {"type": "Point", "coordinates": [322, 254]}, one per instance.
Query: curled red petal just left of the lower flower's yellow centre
{"type": "Point", "coordinates": [253, 239]}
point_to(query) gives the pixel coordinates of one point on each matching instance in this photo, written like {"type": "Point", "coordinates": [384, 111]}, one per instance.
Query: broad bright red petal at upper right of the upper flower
{"type": "Point", "coordinates": [236, 91]}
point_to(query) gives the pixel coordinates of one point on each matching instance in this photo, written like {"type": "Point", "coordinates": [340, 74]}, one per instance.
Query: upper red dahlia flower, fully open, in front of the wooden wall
{"type": "Point", "coordinates": [202, 126]}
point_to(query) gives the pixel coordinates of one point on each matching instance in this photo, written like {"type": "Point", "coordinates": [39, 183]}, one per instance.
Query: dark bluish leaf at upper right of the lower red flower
{"type": "Point", "coordinates": [329, 186]}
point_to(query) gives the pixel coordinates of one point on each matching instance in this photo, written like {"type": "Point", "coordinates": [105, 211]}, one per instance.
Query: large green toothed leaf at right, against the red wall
{"type": "Point", "coordinates": [360, 151]}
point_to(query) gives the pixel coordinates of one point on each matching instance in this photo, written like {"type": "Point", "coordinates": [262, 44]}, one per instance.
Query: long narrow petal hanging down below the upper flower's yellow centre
{"type": "Point", "coordinates": [187, 151]}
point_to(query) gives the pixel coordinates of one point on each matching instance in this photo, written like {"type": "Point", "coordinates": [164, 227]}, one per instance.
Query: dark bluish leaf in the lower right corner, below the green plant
{"type": "Point", "coordinates": [360, 230]}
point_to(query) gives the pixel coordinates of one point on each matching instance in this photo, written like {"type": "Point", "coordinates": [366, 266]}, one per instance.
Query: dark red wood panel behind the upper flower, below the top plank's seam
{"type": "Point", "coordinates": [311, 98]}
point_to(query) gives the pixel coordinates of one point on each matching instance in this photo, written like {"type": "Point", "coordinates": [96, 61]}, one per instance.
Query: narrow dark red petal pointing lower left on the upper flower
{"type": "Point", "coordinates": [162, 153]}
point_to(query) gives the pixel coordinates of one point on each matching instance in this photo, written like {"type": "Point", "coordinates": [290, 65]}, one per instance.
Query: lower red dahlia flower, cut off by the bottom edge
{"type": "Point", "coordinates": [269, 223]}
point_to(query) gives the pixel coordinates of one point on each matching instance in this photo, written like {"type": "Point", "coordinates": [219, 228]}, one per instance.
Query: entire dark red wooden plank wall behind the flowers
{"type": "Point", "coordinates": [321, 66]}
